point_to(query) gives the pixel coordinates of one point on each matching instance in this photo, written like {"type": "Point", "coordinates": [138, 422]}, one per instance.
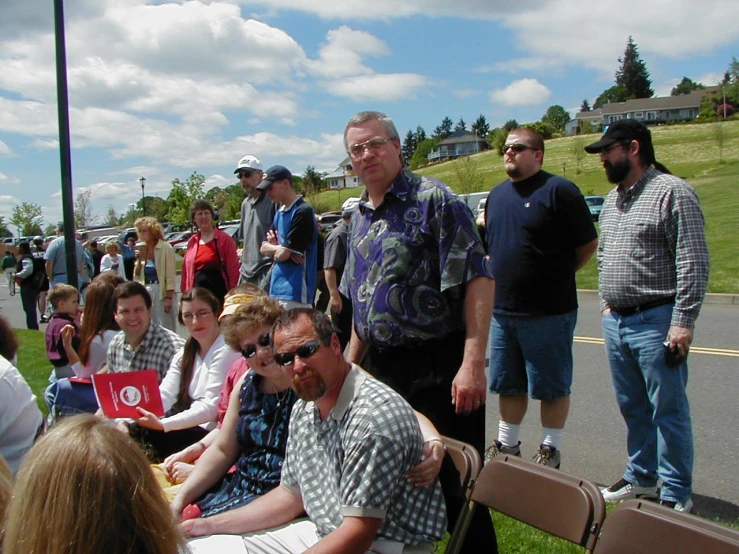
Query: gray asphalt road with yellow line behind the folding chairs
{"type": "Point", "coordinates": [594, 443]}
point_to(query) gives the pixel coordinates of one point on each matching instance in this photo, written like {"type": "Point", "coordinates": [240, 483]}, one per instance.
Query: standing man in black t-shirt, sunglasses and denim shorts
{"type": "Point", "coordinates": [539, 233]}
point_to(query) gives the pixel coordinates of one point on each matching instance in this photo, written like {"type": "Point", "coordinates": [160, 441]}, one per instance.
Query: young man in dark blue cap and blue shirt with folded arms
{"type": "Point", "coordinates": [292, 241]}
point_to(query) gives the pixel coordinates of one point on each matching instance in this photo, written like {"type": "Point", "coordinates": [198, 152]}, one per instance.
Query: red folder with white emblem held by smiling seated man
{"type": "Point", "coordinates": [119, 394]}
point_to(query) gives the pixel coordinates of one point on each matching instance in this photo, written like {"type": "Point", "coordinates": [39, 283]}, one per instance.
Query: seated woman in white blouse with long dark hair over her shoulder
{"type": "Point", "coordinates": [192, 385]}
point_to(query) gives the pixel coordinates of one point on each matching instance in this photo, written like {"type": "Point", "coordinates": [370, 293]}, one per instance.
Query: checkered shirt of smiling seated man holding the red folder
{"type": "Point", "coordinates": [154, 352]}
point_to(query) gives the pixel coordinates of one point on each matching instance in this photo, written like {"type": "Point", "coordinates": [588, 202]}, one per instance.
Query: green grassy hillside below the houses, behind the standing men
{"type": "Point", "coordinates": [690, 151]}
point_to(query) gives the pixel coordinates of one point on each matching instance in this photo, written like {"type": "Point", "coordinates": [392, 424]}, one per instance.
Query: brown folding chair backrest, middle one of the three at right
{"type": "Point", "coordinates": [560, 504]}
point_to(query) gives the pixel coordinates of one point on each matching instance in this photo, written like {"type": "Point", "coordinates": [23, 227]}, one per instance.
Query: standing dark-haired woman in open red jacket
{"type": "Point", "coordinates": [210, 260]}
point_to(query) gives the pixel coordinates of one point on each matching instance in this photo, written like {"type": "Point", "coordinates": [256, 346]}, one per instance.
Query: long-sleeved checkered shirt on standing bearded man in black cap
{"type": "Point", "coordinates": [652, 245]}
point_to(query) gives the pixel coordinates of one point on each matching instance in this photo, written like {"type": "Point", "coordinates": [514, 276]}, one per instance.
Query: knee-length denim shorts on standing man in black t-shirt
{"type": "Point", "coordinates": [531, 355]}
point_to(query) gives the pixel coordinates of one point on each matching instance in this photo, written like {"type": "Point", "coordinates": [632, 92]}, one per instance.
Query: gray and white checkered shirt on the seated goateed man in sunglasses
{"type": "Point", "coordinates": [354, 463]}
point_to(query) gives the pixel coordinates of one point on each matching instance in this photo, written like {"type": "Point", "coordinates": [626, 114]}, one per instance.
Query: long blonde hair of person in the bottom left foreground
{"type": "Point", "coordinates": [86, 488]}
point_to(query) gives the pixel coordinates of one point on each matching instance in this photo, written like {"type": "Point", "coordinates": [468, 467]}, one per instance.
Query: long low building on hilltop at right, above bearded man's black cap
{"type": "Point", "coordinates": [650, 111]}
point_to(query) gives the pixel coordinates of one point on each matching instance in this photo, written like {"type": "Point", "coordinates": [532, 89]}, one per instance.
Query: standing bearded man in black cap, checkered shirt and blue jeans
{"type": "Point", "coordinates": [653, 263]}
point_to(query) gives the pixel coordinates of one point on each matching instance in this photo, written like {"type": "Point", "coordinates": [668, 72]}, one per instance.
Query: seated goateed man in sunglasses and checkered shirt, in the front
{"type": "Point", "coordinates": [352, 442]}
